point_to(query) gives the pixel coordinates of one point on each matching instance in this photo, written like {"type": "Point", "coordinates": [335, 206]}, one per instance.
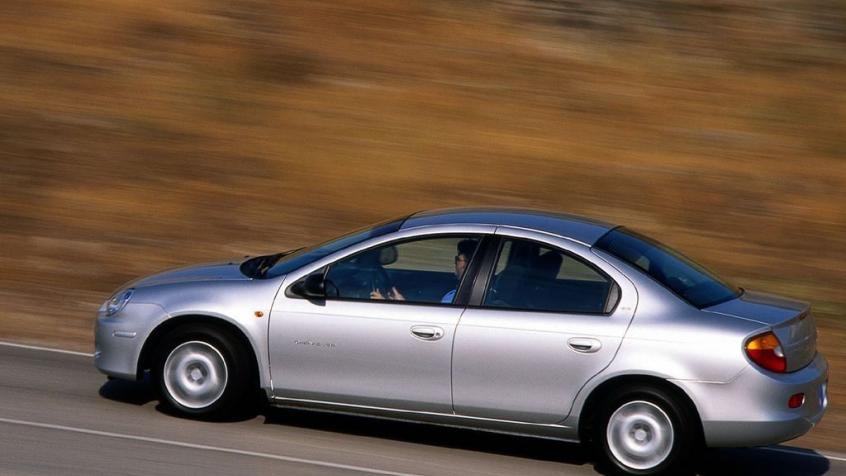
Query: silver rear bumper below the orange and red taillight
{"type": "Point", "coordinates": [752, 409]}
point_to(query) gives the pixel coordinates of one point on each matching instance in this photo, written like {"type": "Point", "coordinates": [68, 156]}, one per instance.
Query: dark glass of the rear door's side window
{"type": "Point", "coordinates": [534, 277]}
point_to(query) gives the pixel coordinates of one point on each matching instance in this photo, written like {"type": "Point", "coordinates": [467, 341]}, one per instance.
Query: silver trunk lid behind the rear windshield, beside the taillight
{"type": "Point", "coordinates": [791, 321]}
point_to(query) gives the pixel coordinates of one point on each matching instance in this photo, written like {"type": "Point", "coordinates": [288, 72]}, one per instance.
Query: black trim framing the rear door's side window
{"type": "Point", "coordinates": [480, 288]}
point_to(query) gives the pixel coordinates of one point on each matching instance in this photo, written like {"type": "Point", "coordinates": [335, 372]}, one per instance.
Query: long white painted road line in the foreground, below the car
{"type": "Point", "coordinates": [290, 459]}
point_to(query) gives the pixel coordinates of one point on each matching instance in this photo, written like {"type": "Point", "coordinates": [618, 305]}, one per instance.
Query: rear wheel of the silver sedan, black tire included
{"type": "Point", "coordinates": [637, 442]}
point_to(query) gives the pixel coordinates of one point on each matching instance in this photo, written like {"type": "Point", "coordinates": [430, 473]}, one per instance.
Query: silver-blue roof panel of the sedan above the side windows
{"type": "Point", "coordinates": [583, 230]}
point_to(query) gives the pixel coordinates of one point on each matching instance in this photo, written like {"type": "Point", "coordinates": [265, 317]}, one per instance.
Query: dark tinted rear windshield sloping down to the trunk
{"type": "Point", "coordinates": [690, 281]}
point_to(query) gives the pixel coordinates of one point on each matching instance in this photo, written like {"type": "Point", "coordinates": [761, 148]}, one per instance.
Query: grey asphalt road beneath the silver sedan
{"type": "Point", "coordinates": [59, 416]}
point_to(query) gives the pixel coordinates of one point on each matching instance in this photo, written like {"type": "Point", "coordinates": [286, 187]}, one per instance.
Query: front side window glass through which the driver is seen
{"type": "Point", "coordinates": [426, 270]}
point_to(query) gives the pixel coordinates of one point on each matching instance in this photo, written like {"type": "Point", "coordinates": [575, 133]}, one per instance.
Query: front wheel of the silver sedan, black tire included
{"type": "Point", "coordinates": [192, 382]}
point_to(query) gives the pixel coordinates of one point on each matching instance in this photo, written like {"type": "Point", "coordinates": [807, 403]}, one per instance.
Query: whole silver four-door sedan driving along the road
{"type": "Point", "coordinates": [514, 321]}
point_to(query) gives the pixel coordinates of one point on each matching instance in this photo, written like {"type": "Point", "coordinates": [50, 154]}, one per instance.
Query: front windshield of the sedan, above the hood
{"type": "Point", "coordinates": [271, 266]}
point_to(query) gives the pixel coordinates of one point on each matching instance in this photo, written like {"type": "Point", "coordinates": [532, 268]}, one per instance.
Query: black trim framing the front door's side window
{"type": "Point", "coordinates": [461, 295]}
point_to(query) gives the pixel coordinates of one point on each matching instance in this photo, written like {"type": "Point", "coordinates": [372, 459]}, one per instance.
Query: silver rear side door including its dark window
{"type": "Point", "coordinates": [551, 317]}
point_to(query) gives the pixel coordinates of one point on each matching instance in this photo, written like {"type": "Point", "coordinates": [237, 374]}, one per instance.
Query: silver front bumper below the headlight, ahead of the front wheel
{"type": "Point", "coordinates": [119, 339]}
